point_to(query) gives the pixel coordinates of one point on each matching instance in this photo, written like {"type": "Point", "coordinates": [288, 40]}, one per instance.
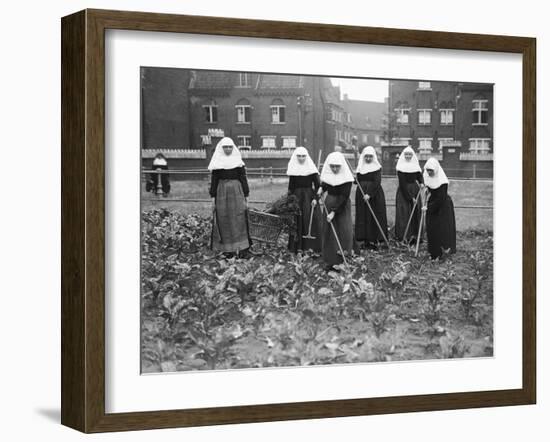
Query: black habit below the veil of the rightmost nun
{"type": "Point", "coordinates": [441, 229]}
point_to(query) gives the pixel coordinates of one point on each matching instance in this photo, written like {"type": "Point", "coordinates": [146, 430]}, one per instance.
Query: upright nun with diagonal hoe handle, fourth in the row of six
{"type": "Point", "coordinates": [369, 177]}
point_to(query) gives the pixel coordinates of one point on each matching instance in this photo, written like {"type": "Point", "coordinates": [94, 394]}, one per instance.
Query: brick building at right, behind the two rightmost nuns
{"type": "Point", "coordinates": [448, 120]}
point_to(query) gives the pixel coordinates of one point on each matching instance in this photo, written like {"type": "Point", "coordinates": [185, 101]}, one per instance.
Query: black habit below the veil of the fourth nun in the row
{"type": "Point", "coordinates": [365, 225]}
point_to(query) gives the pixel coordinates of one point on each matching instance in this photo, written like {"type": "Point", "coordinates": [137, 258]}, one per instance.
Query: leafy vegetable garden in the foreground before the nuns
{"type": "Point", "coordinates": [201, 311]}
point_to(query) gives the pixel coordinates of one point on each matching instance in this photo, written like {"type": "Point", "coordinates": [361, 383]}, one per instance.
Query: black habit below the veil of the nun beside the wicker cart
{"type": "Point", "coordinates": [305, 196]}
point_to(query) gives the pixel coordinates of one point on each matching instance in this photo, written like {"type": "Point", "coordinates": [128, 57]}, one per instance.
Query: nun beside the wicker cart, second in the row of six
{"type": "Point", "coordinates": [304, 183]}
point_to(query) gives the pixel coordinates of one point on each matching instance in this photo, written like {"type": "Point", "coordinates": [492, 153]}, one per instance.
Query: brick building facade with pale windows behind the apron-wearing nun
{"type": "Point", "coordinates": [257, 111]}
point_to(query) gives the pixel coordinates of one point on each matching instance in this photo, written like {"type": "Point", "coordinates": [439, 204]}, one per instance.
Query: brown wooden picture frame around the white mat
{"type": "Point", "coordinates": [83, 220]}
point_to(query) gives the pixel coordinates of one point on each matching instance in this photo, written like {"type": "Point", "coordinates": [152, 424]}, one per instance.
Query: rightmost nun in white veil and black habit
{"type": "Point", "coordinates": [440, 213]}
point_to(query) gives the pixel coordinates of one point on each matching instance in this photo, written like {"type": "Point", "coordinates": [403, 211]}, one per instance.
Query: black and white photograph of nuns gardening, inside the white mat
{"type": "Point", "coordinates": [297, 220]}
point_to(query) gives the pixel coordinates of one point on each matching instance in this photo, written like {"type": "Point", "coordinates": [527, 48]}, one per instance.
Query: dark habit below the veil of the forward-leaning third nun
{"type": "Point", "coordinates": [342, 223]}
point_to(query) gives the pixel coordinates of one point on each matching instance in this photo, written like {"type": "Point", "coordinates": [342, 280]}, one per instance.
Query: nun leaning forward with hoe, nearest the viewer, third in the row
{"type": "Point", "coordinates": [336, 182]}
